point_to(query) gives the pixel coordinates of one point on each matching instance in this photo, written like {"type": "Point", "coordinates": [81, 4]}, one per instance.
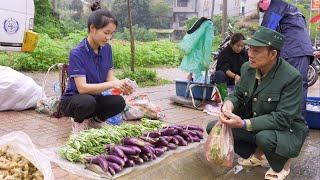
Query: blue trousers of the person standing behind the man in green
{"type": "Point", "coordinates": [301, 64]}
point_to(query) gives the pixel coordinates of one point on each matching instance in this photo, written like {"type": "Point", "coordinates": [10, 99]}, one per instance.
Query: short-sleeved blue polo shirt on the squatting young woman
{"type": "Point", "coordinates": [84, 62]}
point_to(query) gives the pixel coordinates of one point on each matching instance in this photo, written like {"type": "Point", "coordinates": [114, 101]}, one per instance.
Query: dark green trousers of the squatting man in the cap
{"type": "Point", "coordinates": [245, 144]}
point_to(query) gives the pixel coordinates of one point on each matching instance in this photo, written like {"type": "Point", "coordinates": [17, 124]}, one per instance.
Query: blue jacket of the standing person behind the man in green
{"type": "Point", "coordinates": [287, 20]}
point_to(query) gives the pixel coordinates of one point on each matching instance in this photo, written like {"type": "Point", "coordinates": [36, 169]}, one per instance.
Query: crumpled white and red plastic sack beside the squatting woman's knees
{"type": "Point", "coordinates": [139, 106]}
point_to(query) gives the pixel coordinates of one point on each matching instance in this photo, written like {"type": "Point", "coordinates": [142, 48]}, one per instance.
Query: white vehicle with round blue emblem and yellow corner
{"type": "Point", "coordinates": [16, 24]}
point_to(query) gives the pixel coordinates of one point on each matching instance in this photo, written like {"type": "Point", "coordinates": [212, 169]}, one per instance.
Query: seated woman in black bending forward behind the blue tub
{"type": "Point", "coordinates": [230, 61]}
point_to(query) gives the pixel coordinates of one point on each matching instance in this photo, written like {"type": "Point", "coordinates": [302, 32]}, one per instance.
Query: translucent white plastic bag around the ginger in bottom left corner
{"type": "Point", "coordinates": [19, 142]}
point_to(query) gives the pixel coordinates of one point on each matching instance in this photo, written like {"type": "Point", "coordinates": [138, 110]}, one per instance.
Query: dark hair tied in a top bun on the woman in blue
{"type": "Point", "coordinates": [99, 18]}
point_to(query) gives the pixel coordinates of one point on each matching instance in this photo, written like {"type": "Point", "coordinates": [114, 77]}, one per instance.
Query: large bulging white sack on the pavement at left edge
{"type": "Point", "coordinates": [18, 91]}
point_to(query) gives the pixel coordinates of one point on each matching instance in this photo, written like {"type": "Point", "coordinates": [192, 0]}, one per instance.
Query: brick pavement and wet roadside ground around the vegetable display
{"type": "Point", "coordinates": [51, 132]}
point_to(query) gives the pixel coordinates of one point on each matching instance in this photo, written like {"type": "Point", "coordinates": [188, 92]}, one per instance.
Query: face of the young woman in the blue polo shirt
{"type": "Point", "coordinates": [103, 35]}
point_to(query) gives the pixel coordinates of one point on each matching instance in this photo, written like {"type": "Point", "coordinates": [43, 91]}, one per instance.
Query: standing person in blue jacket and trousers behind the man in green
{"type": "Point", "coordinates": [297, 48]}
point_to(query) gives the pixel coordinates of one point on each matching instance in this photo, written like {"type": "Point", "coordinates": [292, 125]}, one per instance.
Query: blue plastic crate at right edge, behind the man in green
{"type": "Point", "coordinates": [313, 117]}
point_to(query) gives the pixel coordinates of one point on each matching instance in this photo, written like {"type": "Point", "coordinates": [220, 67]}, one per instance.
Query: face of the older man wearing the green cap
{"type": "Point", "coordinates": [261, 57]}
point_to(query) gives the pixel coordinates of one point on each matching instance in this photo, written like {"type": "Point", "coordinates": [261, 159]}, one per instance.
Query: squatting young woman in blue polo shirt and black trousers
{"type": "Point", "coordinates": [91, 72]}
